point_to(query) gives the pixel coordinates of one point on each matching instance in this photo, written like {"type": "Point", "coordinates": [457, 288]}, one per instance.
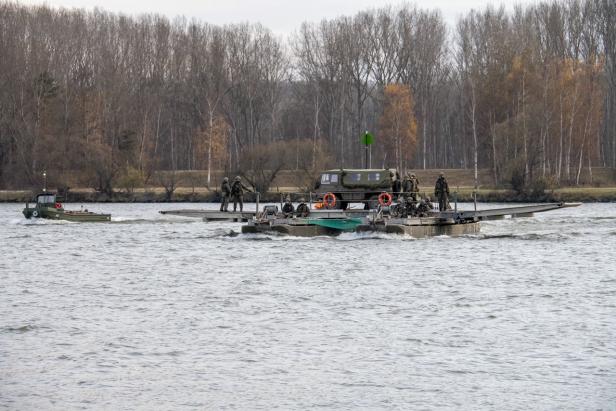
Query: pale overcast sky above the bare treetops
{"type": "Point", "coordinates": [281, 16]}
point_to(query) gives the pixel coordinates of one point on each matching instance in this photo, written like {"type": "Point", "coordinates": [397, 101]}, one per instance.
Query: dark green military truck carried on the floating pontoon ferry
{"type": "Point", "coordinates": [357, 185]}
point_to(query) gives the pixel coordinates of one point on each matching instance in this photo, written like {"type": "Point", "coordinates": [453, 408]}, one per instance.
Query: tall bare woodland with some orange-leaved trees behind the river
{"type": "Point", "coordinates": [113, 102]}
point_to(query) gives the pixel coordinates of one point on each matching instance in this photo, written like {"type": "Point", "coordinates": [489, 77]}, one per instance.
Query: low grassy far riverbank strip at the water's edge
{"type": "Point", "coordinates": [203, 195]}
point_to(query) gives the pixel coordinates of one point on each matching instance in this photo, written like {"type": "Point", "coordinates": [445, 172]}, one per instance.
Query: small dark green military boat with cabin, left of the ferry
{"type": "Point", "coordinates": [48, 206]}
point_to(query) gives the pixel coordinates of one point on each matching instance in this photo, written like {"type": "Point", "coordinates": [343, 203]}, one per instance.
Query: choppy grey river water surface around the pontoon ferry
{"type": "Point", "coordinates": [162, 312]}
